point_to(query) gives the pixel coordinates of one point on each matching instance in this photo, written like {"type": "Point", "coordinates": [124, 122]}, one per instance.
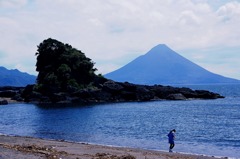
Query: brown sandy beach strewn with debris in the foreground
{"type": "Point", "coordinates": [37, 148]}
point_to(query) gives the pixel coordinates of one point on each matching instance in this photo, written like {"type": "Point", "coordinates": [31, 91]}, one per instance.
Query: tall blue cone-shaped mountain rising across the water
{"type": "Point", "coordinates": [161, 65]}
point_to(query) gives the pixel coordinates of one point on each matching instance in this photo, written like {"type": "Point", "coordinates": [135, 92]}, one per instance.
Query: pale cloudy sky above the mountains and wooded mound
{"type": "Point", "coordinates": [114, 32]}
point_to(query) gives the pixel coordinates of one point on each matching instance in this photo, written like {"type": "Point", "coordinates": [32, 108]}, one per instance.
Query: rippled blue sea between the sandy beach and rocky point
{"type": "Point", "coordinates": [203, 127]}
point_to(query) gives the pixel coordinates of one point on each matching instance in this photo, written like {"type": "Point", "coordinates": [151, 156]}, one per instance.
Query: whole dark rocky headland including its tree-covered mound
{"type": "Point", "coordinates": [66, 75]}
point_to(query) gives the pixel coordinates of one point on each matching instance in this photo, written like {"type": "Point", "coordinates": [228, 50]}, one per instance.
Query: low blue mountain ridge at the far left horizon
{"type": "Point", "coordinates": [15, 78]}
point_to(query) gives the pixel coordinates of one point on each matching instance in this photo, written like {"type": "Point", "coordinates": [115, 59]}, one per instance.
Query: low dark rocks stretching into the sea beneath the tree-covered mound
{"type": "Point", "coordinates": [109, 91]}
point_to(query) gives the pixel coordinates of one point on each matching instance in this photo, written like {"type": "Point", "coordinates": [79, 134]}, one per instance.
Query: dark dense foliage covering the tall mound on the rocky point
{"type": "Point", "coordinates": [62, 66]}
